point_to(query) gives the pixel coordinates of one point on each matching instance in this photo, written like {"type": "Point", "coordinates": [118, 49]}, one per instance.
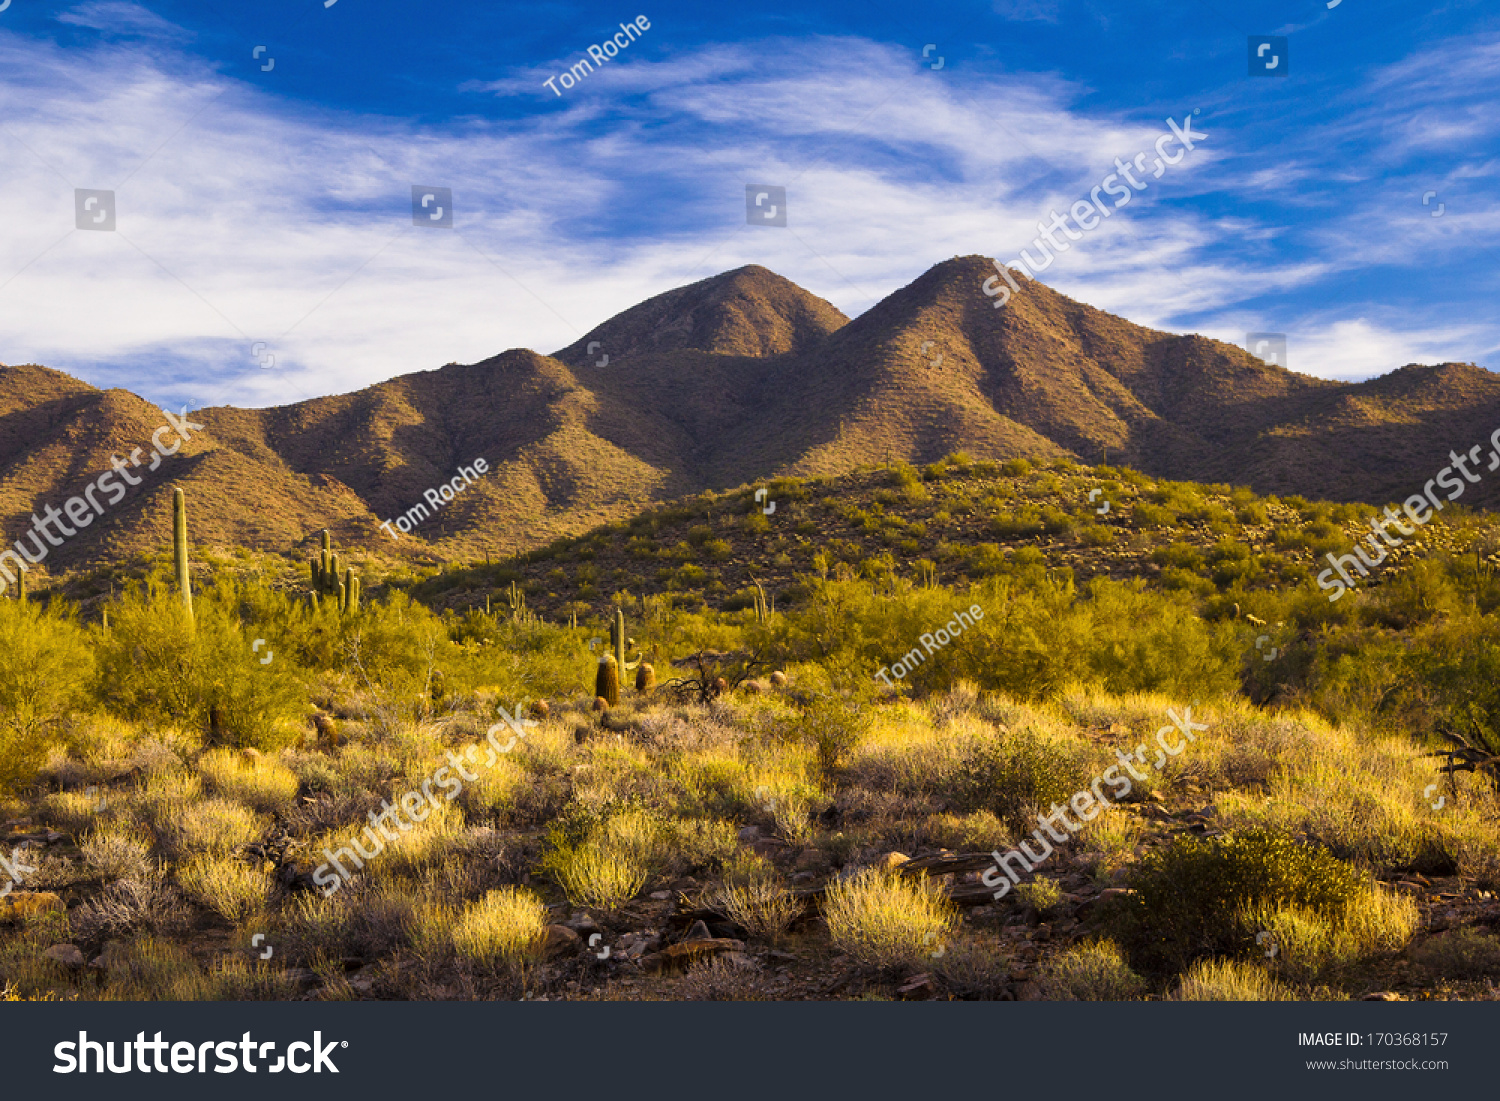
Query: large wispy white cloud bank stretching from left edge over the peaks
{"type": "Point", "coordinates": [247, 220]}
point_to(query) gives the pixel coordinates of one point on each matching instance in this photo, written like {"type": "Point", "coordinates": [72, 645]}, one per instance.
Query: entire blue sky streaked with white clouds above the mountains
{"type": "Point", "coordinates": [265, 247]}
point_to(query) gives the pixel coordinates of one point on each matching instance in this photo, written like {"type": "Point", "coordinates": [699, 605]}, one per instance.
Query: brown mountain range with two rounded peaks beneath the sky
{"type": "Point", "coordinates": [731, 380]}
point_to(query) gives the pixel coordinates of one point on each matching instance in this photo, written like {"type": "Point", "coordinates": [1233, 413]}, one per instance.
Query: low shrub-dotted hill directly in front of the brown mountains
{"type": "Point", "coordinates": [952, 523]}
